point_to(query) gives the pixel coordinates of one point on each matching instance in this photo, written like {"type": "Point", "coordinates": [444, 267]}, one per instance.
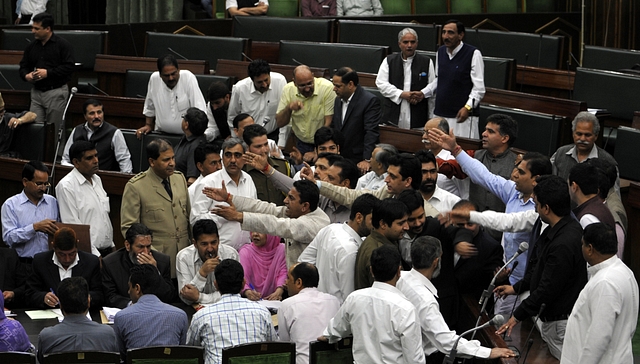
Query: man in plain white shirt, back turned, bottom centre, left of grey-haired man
{"type": "Point", "coordinates": [384, 324]}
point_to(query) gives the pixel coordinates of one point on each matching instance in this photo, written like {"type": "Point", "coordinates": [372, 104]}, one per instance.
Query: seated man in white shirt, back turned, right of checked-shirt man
{"type": "Point", "coordinates": [303, 316]}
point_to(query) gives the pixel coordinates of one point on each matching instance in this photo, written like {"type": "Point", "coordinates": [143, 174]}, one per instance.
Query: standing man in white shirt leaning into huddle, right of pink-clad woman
{"type": "Point", "coordinates": [335, 247]}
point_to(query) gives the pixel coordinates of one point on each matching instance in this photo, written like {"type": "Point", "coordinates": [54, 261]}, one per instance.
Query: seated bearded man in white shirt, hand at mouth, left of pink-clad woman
{"type": "Point", "coordinates": [196, 263]}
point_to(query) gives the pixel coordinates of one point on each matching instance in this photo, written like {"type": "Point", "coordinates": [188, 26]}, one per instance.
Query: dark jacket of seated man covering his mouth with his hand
{"type": "Point", "coordinates": [115, 278]}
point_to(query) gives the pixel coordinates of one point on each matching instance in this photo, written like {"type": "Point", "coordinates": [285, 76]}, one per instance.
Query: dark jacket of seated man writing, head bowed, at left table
{"type": "Point", "coordinates": [45, 277]}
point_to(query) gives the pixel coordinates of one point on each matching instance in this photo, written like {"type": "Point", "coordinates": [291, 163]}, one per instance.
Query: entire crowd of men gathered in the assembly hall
{"type": "Point", "coordinates": [379, 245]}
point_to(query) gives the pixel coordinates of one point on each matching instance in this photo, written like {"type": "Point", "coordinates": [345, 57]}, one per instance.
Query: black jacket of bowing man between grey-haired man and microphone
{"type": "Point", "coordinates": [474, 274]}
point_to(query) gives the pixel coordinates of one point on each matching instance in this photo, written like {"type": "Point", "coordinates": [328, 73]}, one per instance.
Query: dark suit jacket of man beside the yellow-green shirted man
{"type": "Point", "coordinates": [360, 125]}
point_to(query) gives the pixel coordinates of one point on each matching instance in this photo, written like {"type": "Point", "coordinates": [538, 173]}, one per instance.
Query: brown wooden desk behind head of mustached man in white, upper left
{"type": "Point", "coordinates": [112, 70]}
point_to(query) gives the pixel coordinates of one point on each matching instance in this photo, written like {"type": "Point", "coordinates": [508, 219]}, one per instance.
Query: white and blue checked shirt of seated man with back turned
{"type": "Point", "coordinates": [231, 321]}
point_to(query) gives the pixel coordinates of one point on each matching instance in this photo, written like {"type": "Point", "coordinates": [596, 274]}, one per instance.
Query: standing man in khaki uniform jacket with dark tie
{"type": "Point", "coordinates": [158, 198]}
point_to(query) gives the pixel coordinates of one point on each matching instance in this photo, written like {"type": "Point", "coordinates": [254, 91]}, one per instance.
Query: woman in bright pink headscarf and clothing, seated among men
{"type": "Point", "coordinates": [265, 267]}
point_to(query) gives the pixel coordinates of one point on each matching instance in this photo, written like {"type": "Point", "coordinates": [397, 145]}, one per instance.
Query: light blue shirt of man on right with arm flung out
{"type": "Point", "coordinates": [506, 191]}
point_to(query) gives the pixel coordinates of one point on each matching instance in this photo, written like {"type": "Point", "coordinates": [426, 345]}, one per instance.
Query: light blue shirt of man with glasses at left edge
{"type": "Point", "coordinates": [18, 216]}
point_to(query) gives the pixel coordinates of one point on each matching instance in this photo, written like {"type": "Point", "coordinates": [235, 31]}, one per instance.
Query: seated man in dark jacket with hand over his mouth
{"type": "Point", "coordinates": [137, 250]}
